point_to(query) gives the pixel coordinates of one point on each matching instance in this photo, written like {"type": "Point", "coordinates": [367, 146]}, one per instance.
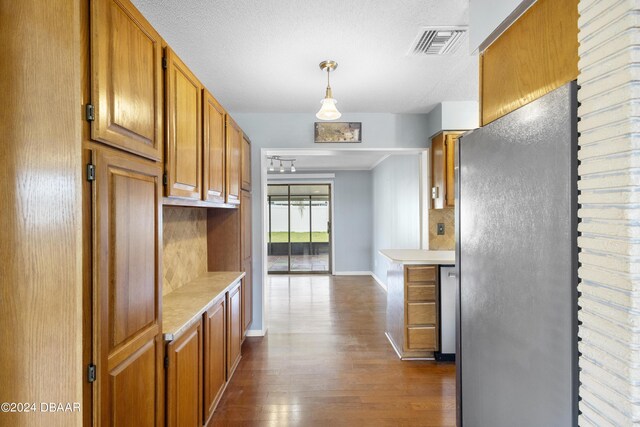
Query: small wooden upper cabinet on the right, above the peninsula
{"type": "Point", "coordinates": [443, 149]}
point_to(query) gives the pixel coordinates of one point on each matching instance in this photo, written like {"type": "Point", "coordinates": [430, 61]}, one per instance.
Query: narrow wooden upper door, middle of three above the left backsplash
{"type": "Point", "coordinates": [214, 149]}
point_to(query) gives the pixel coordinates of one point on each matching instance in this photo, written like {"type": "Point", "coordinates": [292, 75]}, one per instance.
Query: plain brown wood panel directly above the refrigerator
{"type": "Point", "coordinates": [534, 56]}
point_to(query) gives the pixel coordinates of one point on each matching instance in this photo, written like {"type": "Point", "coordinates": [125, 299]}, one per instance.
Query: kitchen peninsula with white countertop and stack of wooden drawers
{"type": "Point", "coordinates": [413, 301]}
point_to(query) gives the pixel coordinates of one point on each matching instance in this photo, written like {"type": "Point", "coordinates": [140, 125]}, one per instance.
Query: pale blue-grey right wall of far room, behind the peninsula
{"type": "Point", "coordinates": [396, 208]}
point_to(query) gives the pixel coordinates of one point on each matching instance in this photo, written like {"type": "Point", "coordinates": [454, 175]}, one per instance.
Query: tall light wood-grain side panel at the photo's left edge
{"type": "Point", "coordinates": [41, 245]}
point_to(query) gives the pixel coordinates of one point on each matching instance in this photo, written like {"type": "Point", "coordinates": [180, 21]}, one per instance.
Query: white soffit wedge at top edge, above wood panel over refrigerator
{"type": "Point", "coordinates": [485, 16]}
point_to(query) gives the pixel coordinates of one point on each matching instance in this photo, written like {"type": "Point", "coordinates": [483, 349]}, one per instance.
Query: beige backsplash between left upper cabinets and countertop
{"type": "Point", "coordinates": [184, 242]}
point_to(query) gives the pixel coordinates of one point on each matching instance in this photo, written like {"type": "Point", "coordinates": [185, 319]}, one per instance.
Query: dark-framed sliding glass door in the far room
{"type": "Point", "coordinates": [299, 232]}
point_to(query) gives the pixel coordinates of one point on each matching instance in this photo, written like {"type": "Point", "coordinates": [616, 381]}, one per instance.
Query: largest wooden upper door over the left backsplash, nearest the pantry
{"type": "Point", "coordinates": [184, 130]}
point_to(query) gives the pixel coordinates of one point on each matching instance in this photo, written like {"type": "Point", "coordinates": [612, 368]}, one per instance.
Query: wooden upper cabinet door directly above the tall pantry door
{"type": "Point", "coordinates": [126, 79]}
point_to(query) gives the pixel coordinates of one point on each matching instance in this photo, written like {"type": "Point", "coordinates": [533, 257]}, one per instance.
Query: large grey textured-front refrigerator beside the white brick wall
{"type": "Point", "coordinates": [516, 254]}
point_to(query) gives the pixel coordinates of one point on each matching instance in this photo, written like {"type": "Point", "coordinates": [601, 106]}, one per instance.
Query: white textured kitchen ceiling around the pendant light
{"type": "Point", "coordinates": [263, 55]}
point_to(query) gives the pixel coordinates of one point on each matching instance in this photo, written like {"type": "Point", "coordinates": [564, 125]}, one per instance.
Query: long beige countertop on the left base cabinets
{"type": "Point", "coordinates": [184, 306]}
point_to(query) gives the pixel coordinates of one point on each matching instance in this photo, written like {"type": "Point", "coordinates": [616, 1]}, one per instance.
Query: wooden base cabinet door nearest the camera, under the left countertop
{"type": "Point", "coordinates": [184, 379]}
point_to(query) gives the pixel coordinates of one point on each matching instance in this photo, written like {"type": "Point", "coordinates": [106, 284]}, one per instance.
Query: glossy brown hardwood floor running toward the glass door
{"type": "Point", "coordinates": [325, 361]}
